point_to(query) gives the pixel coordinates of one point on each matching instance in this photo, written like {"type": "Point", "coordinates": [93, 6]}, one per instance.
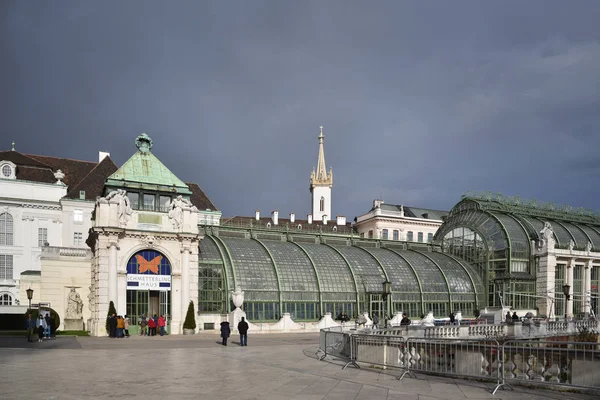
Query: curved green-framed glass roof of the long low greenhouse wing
{"type": "Point", "coordinates": [265, 267]}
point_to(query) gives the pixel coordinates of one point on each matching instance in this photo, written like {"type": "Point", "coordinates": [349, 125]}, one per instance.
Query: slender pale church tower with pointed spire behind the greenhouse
{"type": "Point", "coordinates": [321, 182]}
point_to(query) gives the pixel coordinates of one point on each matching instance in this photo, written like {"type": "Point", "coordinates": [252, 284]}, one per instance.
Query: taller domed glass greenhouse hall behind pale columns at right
{"type": "Point", "coordinates": [497, 236]}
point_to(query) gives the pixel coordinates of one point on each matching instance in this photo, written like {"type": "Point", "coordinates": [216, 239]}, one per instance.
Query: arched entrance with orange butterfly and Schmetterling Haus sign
{"type": "Point", "coordinates": [148, 287]}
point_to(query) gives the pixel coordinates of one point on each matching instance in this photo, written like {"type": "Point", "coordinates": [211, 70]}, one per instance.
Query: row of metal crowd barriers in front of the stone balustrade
{"type": "Point", "coordinates": [547, 363]}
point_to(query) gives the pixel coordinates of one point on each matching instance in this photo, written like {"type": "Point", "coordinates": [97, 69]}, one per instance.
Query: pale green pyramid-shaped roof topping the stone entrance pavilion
{"type": "Point", "coordinates": [145, 169]}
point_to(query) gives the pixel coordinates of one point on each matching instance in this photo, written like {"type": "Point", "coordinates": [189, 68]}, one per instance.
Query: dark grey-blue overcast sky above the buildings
{"type": "Point", "coordinates": [420, 101]}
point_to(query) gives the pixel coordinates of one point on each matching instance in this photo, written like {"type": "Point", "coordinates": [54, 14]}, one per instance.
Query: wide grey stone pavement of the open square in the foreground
{"type": "Point", "coordinates": [181, 367]}
